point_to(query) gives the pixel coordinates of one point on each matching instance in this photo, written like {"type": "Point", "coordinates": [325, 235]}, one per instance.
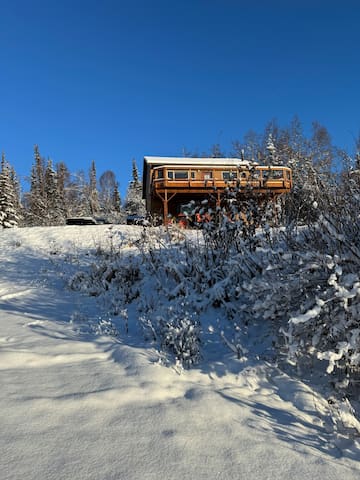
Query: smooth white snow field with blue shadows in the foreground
{"type": "Point", "coordinates": [79, 406]}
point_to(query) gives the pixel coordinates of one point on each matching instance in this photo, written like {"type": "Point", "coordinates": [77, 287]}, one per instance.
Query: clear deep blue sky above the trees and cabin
{"type": "Point", "coordinates": [110, 80]}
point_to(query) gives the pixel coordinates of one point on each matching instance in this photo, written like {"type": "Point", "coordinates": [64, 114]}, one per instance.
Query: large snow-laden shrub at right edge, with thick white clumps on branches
{"type": "Point", "coordinates": [310, 291]}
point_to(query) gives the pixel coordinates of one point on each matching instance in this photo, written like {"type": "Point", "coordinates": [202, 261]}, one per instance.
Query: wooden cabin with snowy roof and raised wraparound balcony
{"type": "Point", "coordinates": [169, 183]}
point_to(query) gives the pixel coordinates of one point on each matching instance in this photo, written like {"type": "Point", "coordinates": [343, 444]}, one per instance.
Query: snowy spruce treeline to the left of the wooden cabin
{"type": "Point", "coordinates": [55, 194]}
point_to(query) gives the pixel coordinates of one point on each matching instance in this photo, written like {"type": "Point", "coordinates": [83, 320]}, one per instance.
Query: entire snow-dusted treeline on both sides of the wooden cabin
{"type": "Point", "coordinates": [324, 175]}
